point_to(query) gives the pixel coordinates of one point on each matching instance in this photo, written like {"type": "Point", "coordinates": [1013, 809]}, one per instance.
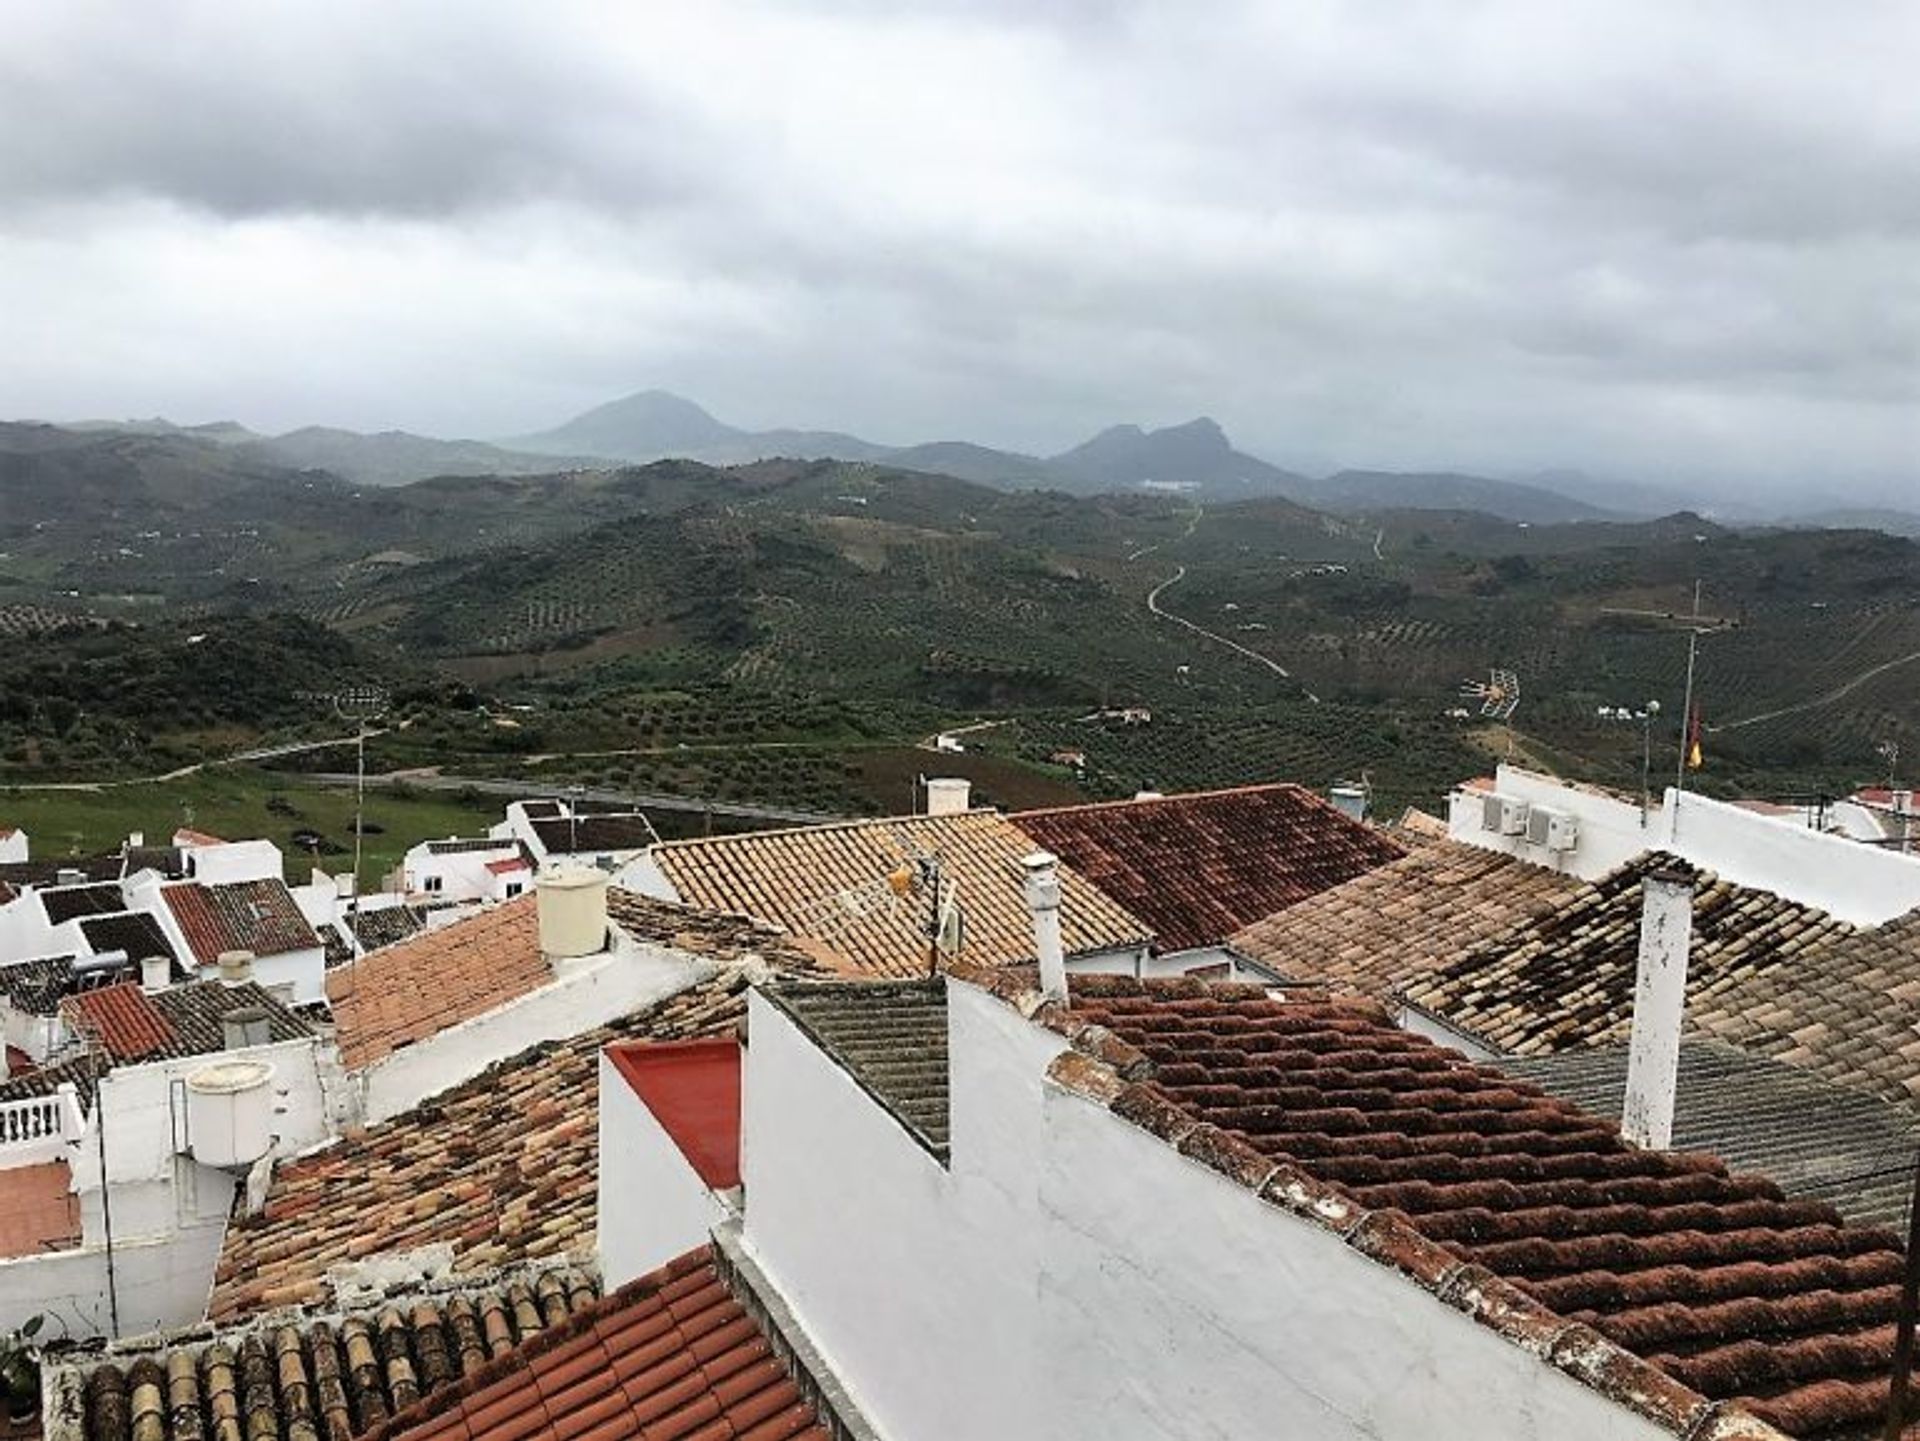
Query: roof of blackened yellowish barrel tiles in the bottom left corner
{"type": "Point", "coordinates": [322, 1377]}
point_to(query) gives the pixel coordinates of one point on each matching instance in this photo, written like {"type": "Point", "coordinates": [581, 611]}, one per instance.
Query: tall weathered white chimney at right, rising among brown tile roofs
{"type": "Point", "coordinates": [1660, 1008]}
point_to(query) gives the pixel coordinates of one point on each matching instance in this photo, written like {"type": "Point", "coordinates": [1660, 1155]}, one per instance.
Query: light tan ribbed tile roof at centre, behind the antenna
{"type": "Point", "coordinates": [792, 880]}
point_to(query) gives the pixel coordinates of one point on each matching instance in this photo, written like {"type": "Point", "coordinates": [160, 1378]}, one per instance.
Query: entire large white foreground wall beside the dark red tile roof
{"type": "Point", "coordinates": [1074, 1277]}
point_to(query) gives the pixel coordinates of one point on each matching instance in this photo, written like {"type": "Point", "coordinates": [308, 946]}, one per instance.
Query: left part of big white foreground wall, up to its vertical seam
{"type": "Point", "coordinates": [917, 1283]}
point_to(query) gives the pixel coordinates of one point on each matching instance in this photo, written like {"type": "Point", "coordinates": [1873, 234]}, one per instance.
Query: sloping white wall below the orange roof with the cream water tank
{"type": "Point", "coordinates": [583, 997]}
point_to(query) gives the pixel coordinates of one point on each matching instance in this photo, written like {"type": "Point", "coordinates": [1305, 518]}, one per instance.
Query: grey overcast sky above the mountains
{"type": "Point", "coordinates": [1677, 243]}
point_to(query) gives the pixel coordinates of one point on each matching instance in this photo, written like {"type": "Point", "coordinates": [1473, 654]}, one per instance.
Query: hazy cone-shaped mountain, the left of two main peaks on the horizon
{"type": "Point", "coordinates": [658, 425]}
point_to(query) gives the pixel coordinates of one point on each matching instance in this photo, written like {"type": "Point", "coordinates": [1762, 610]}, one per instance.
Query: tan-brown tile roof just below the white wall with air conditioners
{"type": "Point", "coordinates": [1391, 926]}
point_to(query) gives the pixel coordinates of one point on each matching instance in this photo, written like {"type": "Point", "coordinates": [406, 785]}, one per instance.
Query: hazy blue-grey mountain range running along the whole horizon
{"type": "Point", "coordinates": [1189, 460]}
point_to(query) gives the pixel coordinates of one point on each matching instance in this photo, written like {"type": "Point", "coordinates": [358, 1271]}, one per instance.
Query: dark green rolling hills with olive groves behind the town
{"type": "Point", "coordinates": [871, 586]}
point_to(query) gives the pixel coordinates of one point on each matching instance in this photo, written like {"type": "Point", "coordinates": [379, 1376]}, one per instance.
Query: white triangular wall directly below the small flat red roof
{"type": "Point", "coordinates": [652, 1204]}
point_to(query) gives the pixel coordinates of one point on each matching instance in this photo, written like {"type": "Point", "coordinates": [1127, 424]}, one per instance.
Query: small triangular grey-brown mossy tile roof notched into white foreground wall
{"type": "Point", "coordinates": [890, 1037]}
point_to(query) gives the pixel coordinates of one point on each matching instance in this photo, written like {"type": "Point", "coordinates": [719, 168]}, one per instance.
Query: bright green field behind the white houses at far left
{"type": "Point", "coordinates": [245, 805]}
